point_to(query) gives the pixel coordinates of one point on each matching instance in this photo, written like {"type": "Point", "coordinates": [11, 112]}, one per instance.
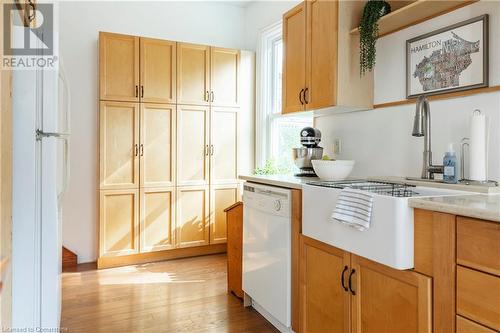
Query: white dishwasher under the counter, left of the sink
{"type": "Point", "coordinates": [266, 251]}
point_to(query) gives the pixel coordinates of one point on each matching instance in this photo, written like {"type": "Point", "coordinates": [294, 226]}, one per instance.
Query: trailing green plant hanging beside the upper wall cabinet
{"type": "Point", "coordinates": [368, 32]}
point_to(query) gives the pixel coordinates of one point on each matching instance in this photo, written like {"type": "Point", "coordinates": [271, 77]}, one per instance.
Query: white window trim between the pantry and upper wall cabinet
{"type": "Point", "coordinates": [263, 98]}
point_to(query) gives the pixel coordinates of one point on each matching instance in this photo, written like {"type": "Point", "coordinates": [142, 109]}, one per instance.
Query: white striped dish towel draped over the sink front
{"type": "Point", "coordinates": [354, 208]}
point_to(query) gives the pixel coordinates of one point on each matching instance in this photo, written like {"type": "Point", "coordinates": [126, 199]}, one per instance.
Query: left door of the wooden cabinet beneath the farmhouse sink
{"type": "Point", "coordinates": [324, 302]}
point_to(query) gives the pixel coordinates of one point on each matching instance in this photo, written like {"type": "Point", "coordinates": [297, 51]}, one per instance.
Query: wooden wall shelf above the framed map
{"type": "Point", "coordinates": [415, 13]}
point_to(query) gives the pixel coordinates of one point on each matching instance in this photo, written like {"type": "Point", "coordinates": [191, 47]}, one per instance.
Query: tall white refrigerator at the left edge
{"type": "Point", "coordinates": [40, 175]}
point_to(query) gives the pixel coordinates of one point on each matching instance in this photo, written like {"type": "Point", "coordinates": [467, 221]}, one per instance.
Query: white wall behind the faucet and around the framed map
{"type": "Point", "coordinates": [380, 140]}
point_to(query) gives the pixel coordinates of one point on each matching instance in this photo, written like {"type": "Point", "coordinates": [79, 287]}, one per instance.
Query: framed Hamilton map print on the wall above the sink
{"type": "Point", "coordinates": [450, 59]}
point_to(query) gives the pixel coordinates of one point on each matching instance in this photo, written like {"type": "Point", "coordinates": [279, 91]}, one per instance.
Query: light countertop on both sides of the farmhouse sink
{"type": "Point", "coordinates": [482, 206]}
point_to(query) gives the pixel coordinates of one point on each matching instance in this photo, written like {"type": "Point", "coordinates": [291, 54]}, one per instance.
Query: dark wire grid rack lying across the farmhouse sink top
{"type": "Point", "coordinates": [383, 188]}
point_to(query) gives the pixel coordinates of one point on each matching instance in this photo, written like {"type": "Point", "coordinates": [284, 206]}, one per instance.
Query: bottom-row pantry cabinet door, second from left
{"type": "Point", "coordinates": [157, 219]}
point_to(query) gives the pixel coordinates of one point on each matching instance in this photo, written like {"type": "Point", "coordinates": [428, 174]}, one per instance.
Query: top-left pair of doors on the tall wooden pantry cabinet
{"type": "Point", "coordinates": [134, 69]}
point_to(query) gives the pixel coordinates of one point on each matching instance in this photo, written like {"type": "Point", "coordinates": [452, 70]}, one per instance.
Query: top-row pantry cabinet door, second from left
{"type": "Point", "coordinates": [158, 71]}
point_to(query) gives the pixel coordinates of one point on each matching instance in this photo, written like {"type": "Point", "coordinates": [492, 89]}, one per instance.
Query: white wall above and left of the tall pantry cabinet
{"type": "Point", "coordinates": [210, 23]}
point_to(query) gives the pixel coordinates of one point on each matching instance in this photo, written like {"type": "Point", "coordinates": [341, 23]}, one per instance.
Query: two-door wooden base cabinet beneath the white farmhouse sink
{"type": "Point", "coordinates": [341, 292]}
